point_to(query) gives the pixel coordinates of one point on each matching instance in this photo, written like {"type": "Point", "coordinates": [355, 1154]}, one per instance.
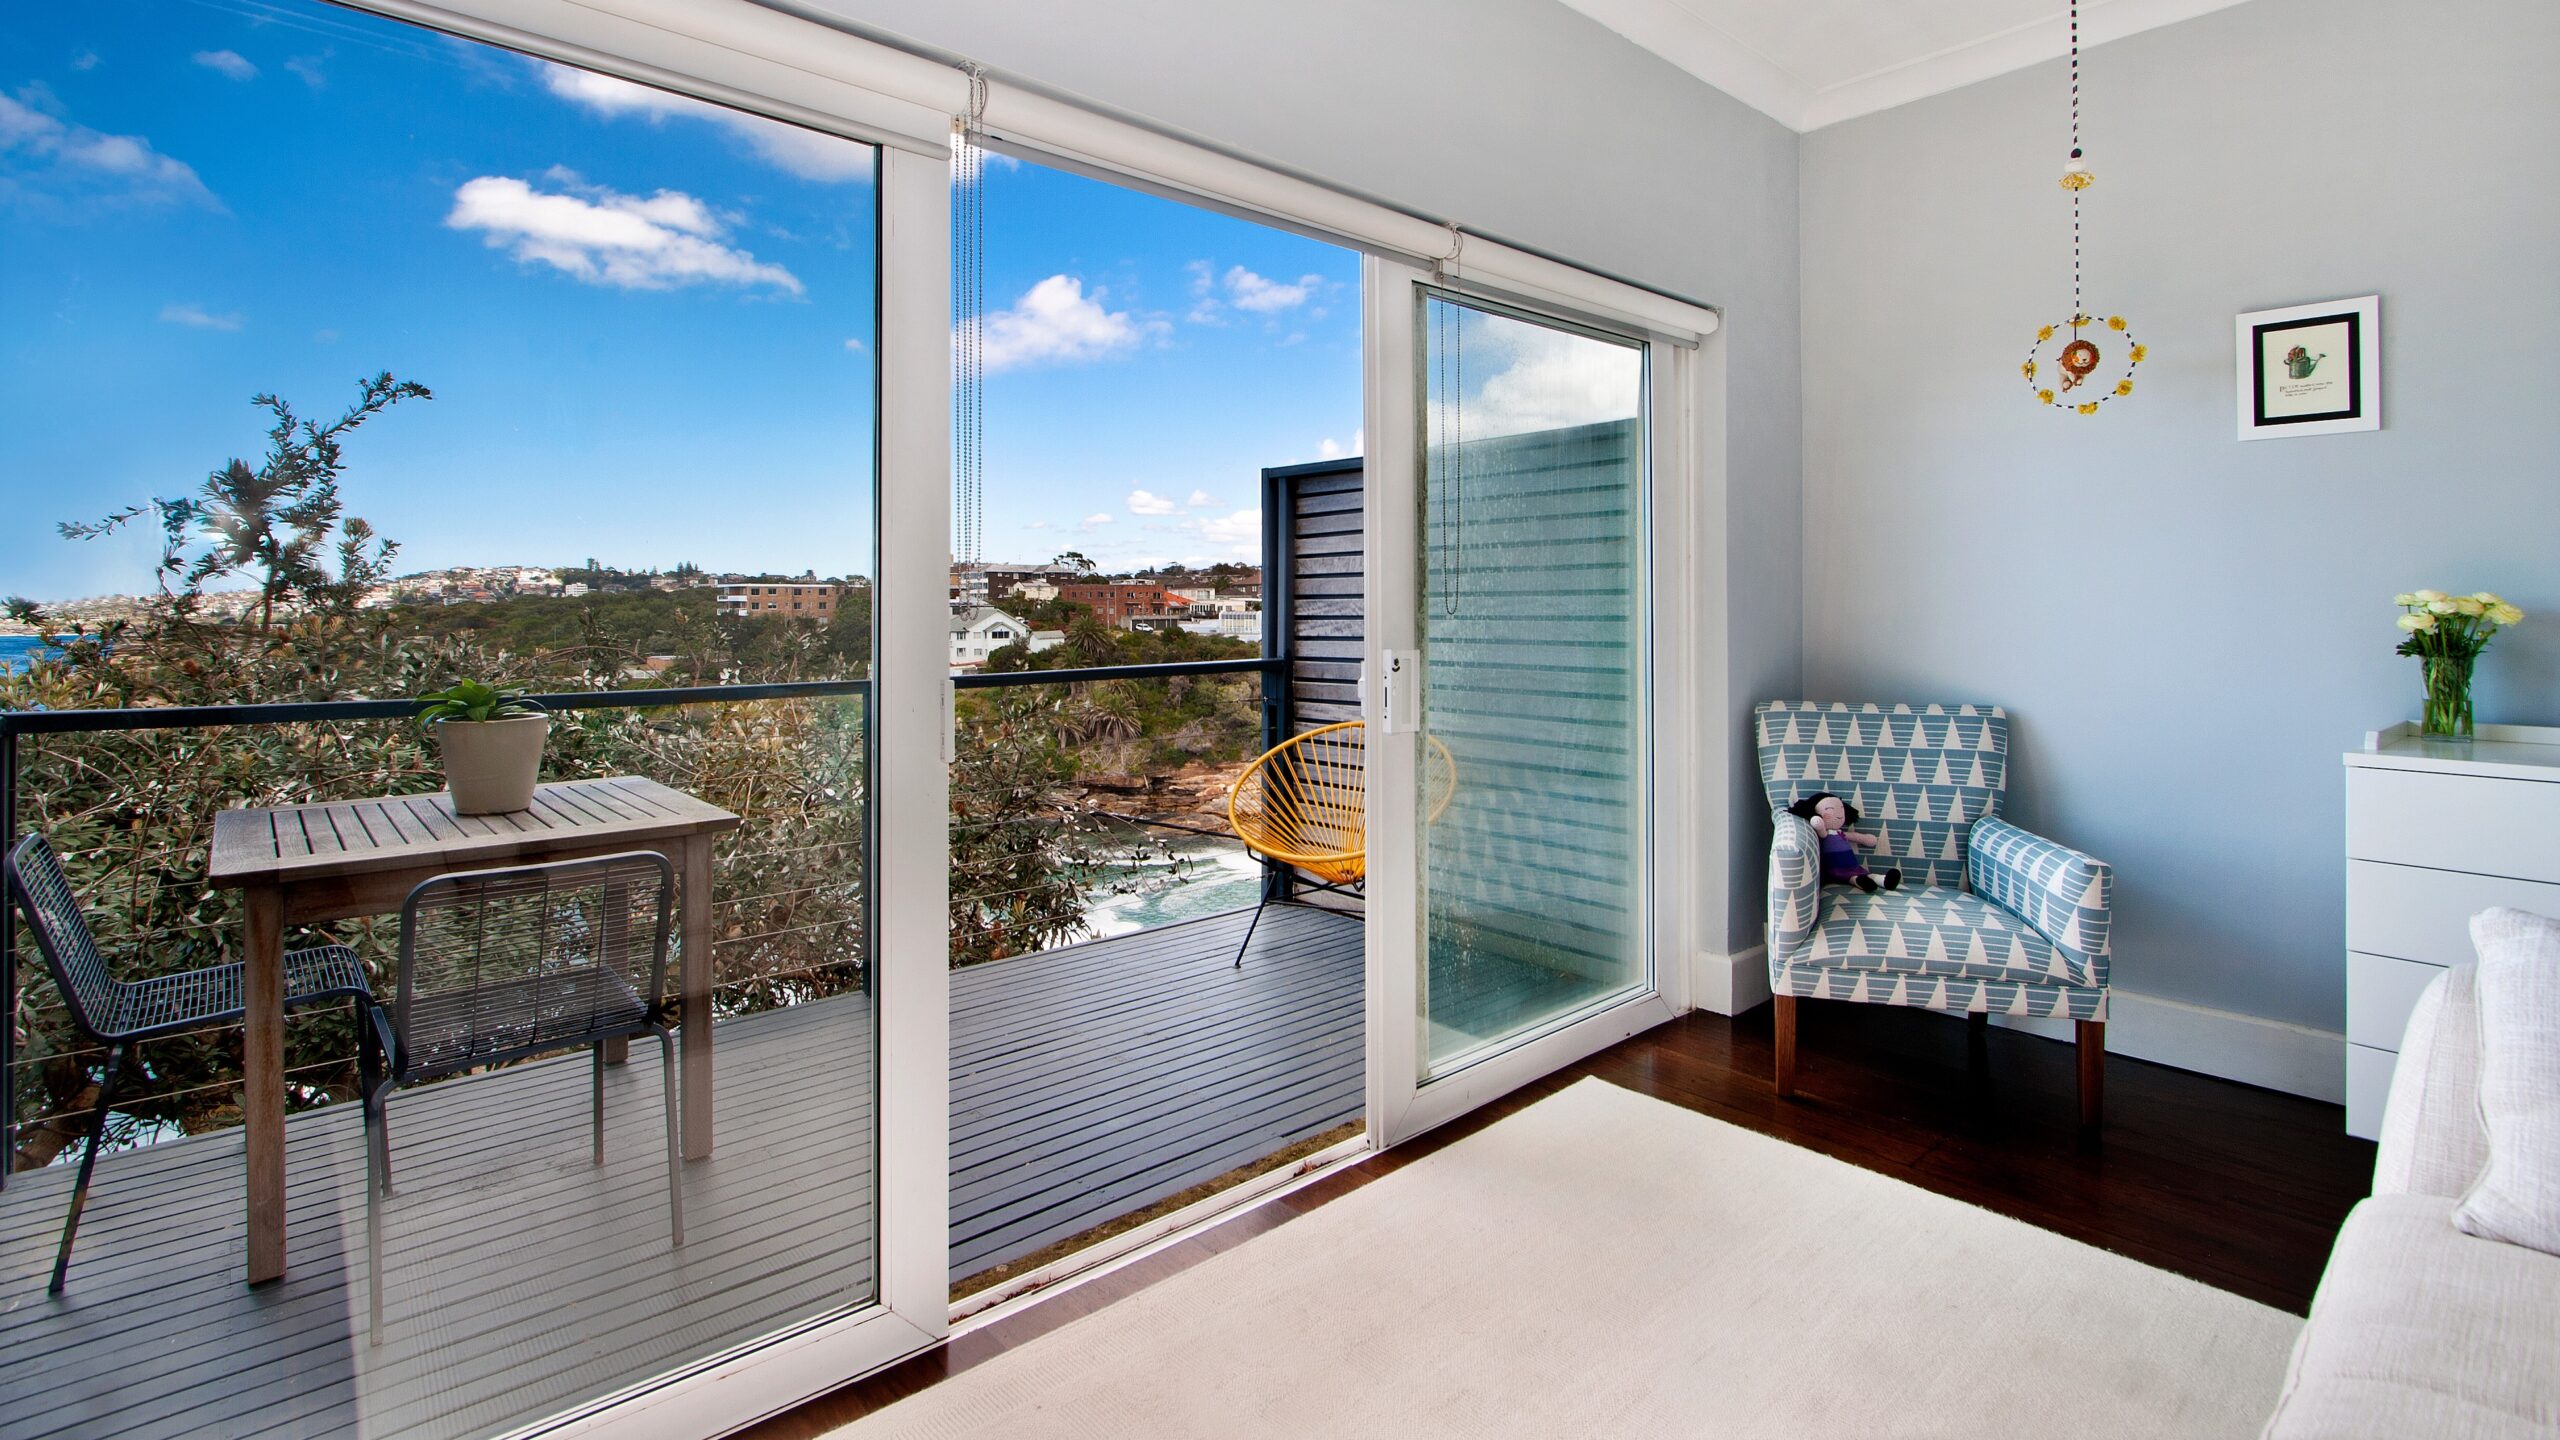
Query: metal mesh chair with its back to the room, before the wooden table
{"type": "Point", "coordinates": [524, 962]}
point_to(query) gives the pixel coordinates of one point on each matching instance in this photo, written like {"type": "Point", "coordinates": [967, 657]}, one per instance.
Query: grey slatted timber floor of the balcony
{"type": "Point", "coordinates": [1087, 1083]}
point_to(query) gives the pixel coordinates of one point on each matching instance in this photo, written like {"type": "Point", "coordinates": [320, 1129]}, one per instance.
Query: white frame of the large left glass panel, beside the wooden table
{"type": "Point", "coordinates": [759, 63]}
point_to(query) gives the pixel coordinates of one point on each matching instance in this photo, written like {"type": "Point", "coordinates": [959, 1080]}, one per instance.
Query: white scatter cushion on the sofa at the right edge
{"type": "Point", "coordinates": [2518, 1195]}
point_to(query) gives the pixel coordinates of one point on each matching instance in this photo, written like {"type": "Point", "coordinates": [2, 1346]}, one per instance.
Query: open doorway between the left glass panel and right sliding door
{"type": "Point", "coordinates": [1153, 370]}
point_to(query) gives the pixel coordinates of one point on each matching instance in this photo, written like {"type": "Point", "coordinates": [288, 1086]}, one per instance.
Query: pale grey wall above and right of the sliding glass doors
{"type": "Point", "coordinates": [1524, 122]}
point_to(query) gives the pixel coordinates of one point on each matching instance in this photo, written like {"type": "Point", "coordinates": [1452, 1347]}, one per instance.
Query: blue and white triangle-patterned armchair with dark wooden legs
{"type": "Point", "coordinates": [1990, 919]}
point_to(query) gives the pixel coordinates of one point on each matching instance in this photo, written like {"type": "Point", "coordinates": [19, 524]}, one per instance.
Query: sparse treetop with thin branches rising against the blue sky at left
{"type": "Point", "coordinates": [278, 521]}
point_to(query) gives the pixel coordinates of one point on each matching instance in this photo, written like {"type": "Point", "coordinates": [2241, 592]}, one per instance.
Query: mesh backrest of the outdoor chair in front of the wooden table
{"type": "Point", "coordinates": [526, 960]}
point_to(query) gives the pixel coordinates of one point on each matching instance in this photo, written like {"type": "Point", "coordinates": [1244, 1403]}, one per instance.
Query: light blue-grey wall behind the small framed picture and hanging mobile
{"type": "Point", "coordinates": [2190, 629]}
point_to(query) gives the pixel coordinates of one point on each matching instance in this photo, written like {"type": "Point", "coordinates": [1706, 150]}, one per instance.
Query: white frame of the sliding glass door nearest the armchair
{"type": "Point", "coordinates": [1404, 1100]}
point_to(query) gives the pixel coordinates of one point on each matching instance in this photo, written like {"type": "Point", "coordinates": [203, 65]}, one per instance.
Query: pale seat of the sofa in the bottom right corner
{"type": "Point", "coordinates": [2423, 1334]}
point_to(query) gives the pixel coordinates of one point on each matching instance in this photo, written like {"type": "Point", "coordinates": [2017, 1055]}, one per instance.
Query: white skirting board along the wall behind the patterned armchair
{"type": "Point", "coordinates": [2223, 1044]}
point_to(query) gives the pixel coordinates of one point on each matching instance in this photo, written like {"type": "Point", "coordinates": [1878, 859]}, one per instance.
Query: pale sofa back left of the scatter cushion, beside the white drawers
{"type": "Point", "coordinates": [2433, 1141]}
